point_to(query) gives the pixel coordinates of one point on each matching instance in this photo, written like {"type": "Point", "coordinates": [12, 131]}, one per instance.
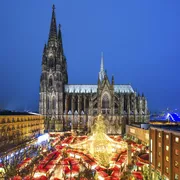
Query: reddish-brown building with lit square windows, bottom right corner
{"type": "Point", "coordinates": [165, 151]}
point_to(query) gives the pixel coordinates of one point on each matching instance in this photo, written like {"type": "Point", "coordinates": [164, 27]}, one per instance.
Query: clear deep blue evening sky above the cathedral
{"type": "Point", "coordinates": [140, 40]}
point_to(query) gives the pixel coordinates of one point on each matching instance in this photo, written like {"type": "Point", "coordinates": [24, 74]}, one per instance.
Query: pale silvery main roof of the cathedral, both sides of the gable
{"type": "Point", "coordinates": [93, 88]}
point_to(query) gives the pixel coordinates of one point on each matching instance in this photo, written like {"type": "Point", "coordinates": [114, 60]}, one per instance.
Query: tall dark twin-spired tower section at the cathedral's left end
{"type": "Point", "coordinates": [53, 78]}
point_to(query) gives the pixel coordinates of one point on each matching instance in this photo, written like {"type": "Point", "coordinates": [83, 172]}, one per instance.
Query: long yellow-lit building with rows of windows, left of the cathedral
{"type": "Point", "coordinates": [18, 127]}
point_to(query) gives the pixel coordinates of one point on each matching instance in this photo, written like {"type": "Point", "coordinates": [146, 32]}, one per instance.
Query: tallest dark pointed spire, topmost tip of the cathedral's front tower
{"type": "Point", "coordinates": [53, 27]}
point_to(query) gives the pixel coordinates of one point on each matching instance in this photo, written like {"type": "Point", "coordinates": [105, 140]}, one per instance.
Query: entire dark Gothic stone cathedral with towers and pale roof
{"type": "Point", "coordinates": [73, 107]}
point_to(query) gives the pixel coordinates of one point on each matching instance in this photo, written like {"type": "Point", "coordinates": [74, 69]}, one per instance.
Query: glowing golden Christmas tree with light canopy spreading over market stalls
{"type": "Point", "coordinates": [100, 145]}
